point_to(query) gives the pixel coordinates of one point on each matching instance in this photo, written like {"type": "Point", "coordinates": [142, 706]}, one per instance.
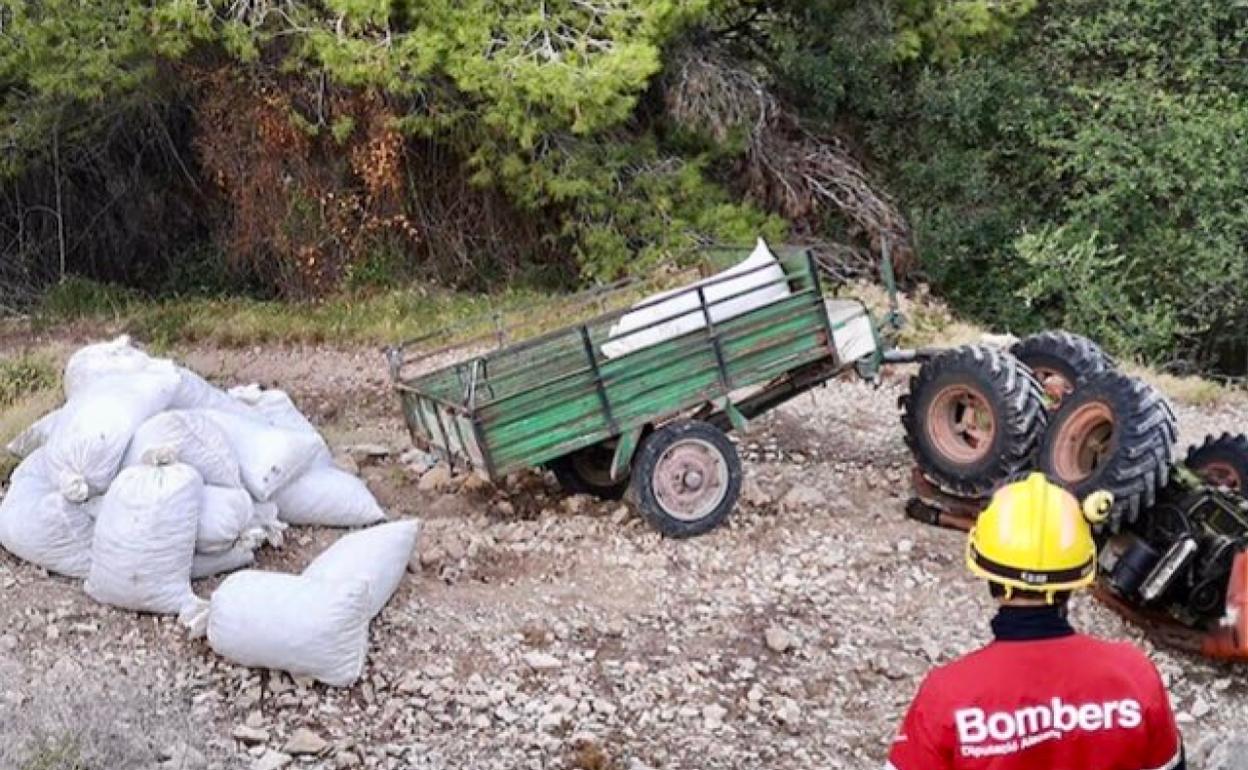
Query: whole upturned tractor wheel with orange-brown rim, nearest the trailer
{"type": "Point", "coordinates": [974, 417]}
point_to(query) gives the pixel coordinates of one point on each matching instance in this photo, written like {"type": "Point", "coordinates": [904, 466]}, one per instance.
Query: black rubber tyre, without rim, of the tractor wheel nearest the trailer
{"type": "Point", "coordinates": [1019, 410]}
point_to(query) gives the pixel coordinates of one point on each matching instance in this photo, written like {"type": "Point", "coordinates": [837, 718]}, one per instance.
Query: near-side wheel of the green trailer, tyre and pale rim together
{"type": "Point", "coordinates": [686, 479]}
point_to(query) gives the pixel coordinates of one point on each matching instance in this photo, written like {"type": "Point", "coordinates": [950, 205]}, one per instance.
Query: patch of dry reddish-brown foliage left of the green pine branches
{"type": "Point", "coordinates": [304, 205]}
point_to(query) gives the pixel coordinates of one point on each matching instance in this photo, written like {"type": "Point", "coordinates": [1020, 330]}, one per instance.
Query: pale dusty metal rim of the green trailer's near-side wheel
{"type": "Point", "coordinates": [691, 480]}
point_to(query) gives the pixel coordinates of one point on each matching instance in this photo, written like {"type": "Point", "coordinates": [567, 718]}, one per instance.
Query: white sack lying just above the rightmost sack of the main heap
{"type": "Point", "coordinates": [269, 457]}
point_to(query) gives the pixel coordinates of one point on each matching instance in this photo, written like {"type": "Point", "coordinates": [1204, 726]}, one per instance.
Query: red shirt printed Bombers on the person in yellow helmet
{"type": "Point", "coordinates": [1069, 703]}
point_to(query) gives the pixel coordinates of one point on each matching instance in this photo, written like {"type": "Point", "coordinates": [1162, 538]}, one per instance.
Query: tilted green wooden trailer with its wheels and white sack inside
{"type": "Point", "coordinates": [612, 407]}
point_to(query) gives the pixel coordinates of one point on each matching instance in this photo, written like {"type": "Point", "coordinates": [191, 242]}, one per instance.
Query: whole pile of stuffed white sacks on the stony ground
{"type": "Point", "coordinates": [149, 477]}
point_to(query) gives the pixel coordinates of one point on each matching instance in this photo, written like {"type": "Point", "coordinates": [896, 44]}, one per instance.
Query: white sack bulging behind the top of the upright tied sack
{"type": "Point", "coordinates": [199, 442]}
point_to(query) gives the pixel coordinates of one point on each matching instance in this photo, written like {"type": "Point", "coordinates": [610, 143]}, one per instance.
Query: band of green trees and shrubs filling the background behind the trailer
{"type": "Point", "coordinates": [1069, 164]}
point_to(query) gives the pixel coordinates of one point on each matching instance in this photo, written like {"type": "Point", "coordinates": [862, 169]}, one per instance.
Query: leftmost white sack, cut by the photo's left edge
{"type": "Point", "coordinates": [41, 526]}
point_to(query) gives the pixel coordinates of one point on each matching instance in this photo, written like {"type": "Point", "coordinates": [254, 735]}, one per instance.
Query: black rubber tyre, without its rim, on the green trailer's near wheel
{"type": "Point", "coordinates": [641, 491]}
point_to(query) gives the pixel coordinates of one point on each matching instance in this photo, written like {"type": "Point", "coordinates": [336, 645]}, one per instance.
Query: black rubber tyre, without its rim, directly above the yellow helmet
{"type": "Point", "coordinates": [1144, 454]}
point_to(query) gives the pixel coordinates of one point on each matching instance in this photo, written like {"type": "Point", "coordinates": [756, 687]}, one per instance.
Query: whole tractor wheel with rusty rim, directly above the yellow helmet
{"type": "Point", "coordinates": [1115, 434]}
